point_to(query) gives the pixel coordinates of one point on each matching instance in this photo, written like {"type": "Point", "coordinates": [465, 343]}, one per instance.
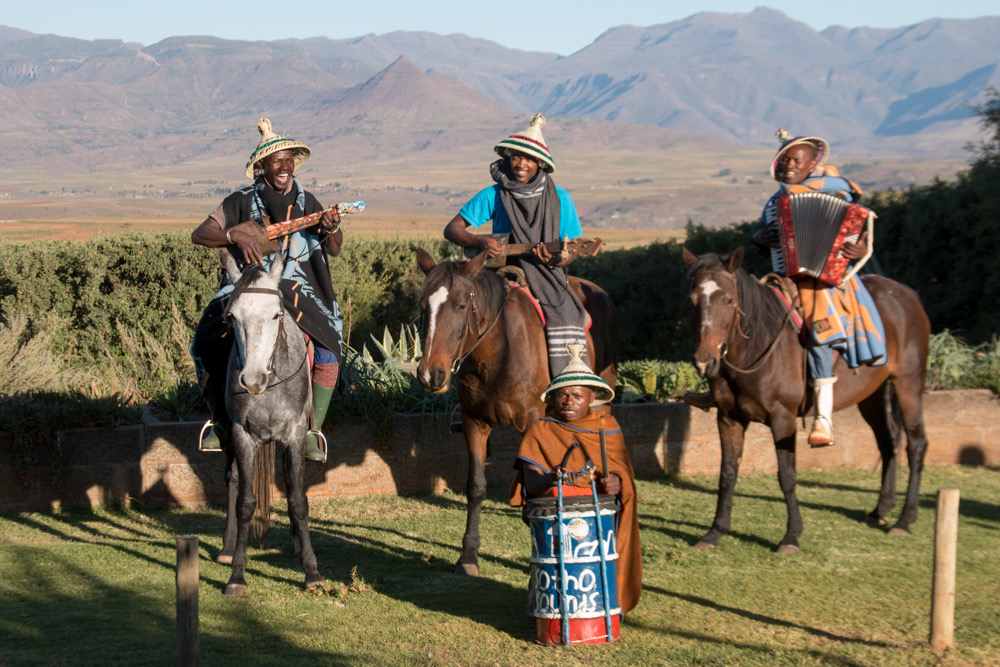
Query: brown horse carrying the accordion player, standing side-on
{"type": "Point", "coordinates": [748, 349]}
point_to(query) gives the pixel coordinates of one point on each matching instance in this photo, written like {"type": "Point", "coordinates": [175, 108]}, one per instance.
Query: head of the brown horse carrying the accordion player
{"type": "Point", "coordinates": [714, 306]}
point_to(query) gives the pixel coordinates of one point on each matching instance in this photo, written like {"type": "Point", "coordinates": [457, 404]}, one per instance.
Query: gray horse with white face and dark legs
{"type": "Point", "coordinates": [268, 396]}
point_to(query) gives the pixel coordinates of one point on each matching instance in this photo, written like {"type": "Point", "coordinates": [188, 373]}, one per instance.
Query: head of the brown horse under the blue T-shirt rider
{"type": "Point", "coordinates": [452, 312]}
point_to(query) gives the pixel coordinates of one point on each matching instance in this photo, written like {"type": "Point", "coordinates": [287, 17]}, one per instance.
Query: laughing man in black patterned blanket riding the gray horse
{"type": "Point", "coordinates": [307, 293]}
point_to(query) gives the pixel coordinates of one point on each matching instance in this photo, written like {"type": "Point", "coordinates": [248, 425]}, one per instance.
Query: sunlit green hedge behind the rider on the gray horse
{"type": "Point", "coordinates": [137, 279]}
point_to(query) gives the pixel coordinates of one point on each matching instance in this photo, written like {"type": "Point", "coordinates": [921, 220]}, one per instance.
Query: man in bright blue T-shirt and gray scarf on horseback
{"type": "Point", "coordinates": [525, 203]}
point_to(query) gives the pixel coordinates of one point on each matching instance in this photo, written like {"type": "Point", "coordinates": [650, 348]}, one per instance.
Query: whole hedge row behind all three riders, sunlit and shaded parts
{"type": "Point", "coordinates": [133, 282]}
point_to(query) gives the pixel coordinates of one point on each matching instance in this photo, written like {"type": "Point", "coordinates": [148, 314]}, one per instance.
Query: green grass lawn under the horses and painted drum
{"type": "Point", "coordinates": [98, 587]}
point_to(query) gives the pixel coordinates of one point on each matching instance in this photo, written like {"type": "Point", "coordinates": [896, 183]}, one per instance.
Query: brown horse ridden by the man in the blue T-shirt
{"type": "Point", "coordinates": [488, 337]}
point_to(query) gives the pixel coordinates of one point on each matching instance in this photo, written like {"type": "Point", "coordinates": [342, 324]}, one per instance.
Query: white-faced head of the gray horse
{"type": "Point", "coordinates": [256, 315]}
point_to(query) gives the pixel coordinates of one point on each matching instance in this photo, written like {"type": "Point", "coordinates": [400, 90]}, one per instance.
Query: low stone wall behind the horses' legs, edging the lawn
{"type": "Point", "coordinates": [158, 462]}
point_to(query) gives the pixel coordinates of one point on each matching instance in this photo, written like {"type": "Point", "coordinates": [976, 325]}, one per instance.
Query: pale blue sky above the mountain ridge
{"type": "Point", "coordinates": [562, 26]}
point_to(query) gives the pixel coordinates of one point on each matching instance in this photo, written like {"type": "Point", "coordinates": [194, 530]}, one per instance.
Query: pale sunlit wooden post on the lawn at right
{"type": "Point", "coordinates": [945, 549]}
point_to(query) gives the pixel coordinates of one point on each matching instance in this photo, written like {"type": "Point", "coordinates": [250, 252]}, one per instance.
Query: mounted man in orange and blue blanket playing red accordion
{"type": "Point", "coordinates": [833, 315]}
